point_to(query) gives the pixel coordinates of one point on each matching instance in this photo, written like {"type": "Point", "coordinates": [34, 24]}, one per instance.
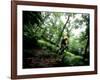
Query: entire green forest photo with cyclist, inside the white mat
{"type": "Point", "coordinates": [55, 39]}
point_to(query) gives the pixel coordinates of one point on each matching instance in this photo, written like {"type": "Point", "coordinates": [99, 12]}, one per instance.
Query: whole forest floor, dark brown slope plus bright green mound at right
{"type": "Point", "coordinates": [38, 57]}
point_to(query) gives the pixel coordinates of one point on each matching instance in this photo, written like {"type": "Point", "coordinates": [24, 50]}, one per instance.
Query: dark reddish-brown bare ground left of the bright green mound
{"type": "Point", "coordinates": [41, 58]}
